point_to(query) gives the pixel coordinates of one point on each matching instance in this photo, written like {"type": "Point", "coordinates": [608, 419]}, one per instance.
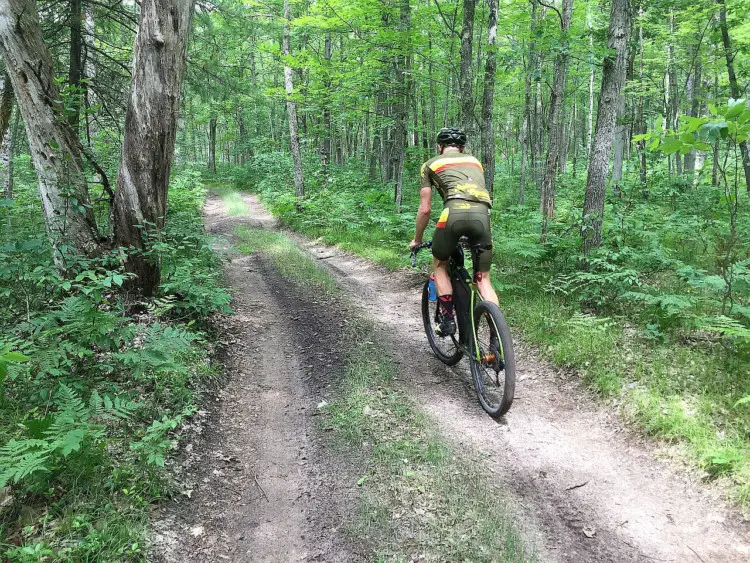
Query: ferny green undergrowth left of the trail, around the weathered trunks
{"type": "Point", "coordinates": [95, 384]}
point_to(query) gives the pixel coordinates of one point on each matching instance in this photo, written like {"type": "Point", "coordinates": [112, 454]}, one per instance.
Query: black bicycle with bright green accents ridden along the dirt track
{"type": "Point", "coordinates": [483, 336]}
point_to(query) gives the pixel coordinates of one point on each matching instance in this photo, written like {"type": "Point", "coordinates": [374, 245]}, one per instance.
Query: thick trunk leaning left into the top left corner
{"type": "Point", "coordinates": [54, 146]}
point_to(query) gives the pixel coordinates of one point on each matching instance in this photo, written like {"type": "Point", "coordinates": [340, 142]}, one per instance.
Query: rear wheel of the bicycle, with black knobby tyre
{"type": "Point", "coordinates": [494, 371]}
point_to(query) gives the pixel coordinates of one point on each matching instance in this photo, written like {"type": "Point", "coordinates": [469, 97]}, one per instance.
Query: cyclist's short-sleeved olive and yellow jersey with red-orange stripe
{"type": "Point", "coordinates": [456, 176]}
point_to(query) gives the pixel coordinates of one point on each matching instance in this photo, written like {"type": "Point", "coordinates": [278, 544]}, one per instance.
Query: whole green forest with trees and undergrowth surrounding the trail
{"type": "Point", "coordinates": [614, 139]}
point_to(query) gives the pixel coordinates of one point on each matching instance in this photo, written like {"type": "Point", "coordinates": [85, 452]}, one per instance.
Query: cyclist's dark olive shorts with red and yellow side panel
{"type": "Point", "coordinates": [463, 218]}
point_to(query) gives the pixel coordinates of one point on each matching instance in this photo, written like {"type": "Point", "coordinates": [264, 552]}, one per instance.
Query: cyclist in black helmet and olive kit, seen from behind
{"type": "Point", "coordinates": [459, 178]}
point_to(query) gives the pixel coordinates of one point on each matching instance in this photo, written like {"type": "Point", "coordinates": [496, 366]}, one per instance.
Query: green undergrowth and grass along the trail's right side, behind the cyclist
{"type": "Point", "coordinates": [658, 323]}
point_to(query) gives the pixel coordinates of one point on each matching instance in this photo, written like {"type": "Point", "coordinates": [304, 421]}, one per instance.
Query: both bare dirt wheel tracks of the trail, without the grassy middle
{"type": "Point", "coordinates": [583, 487]}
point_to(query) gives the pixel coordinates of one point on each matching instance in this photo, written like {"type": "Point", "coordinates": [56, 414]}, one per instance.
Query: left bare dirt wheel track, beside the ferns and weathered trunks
{"type": "Point", "coordinates": [261, 481]}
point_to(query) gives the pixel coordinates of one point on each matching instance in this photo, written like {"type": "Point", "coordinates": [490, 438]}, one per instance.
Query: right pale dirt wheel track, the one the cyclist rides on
{"type": "Point", "coordinates": [592, 490]}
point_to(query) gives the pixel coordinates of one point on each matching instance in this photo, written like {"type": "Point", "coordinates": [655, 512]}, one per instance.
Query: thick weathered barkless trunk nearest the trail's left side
{"type": "Point", "coordinates": [159, 58]}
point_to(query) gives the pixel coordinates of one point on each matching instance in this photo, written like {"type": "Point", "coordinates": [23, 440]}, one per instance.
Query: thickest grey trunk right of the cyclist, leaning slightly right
{"type": "Point", "coordinates": [613, 78]}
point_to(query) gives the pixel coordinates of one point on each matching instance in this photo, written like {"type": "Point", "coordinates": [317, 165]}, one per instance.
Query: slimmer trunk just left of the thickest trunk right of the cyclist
{"type": "Point", "coordinates": [557, 94]}
